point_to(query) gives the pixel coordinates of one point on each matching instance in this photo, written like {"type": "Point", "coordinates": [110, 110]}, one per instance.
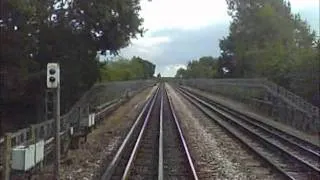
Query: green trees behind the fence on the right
{"type": "Point", "coordinates": [267, 40]}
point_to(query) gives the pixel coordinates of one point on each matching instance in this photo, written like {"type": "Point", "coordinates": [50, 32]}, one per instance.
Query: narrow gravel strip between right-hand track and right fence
{"type": "Point", "coordinates": [249, 111]}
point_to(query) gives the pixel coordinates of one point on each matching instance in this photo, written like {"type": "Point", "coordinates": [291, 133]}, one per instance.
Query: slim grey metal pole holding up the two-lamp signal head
{"type": "Point", "coordinates": [57, 138]}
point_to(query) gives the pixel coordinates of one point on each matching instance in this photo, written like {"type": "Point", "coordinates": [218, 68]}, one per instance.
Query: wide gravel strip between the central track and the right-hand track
{"type": "Point", "coordinates": [215, 153]}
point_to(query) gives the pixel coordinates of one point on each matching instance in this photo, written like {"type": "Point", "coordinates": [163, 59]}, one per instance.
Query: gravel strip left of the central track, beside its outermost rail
{"type": "Point", "coordinates": [86, 162]}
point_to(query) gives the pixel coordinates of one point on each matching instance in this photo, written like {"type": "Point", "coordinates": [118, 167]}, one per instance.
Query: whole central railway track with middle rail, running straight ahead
{"type": "Point", "coordinates": [154, 147]}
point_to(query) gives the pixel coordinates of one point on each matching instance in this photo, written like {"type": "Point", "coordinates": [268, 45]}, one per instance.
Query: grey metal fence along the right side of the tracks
{"type": "Point", "coordinates": [275, 100]}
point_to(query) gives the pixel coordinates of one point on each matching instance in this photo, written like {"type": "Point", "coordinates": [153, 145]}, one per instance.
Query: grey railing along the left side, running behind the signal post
{"type": "Point", "coordinates": [45, 130]}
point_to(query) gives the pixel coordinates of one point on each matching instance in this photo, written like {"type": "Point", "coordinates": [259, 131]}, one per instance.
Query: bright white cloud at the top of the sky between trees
{"type": "Point", "coordinates": [182, 14]}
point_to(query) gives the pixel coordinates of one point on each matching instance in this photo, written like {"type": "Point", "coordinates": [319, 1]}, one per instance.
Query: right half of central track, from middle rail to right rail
{"type": "Point", "coordinates": [177, 160]}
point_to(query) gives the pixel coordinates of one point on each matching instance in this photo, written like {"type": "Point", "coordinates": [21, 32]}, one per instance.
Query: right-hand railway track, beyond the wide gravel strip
{"type": "Point", "coordinates": [290, 156]}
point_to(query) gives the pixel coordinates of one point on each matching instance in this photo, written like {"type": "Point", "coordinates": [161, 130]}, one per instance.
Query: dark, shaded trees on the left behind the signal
{"type": "Point", "coordinates": [72, 33]}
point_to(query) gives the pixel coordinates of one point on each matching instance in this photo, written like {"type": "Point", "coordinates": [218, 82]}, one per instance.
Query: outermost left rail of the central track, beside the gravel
{"type": "Point", "coordinates": [113, 164]}
